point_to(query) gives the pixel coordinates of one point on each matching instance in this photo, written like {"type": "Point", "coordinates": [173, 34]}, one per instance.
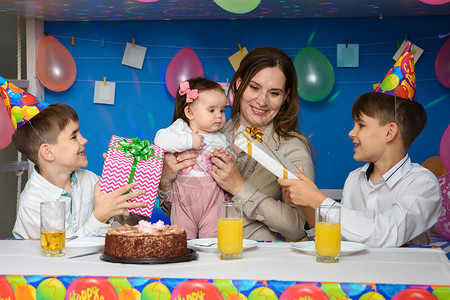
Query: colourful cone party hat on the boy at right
{"type": "Point", "coordinates": [401, 79]}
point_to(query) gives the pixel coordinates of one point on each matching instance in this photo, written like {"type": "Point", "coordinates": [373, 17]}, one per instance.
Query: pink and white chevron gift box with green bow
{"type": "Point", "coordinates": [129, 160]}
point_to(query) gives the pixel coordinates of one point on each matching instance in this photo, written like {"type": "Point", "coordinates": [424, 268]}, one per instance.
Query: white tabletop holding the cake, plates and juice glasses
{"type": "Point", "coordinates": [268, 262]}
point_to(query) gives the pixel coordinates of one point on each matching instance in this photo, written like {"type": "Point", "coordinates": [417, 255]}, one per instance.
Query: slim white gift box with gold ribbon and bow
{"type": "Point", "coordinates": [251, 142]}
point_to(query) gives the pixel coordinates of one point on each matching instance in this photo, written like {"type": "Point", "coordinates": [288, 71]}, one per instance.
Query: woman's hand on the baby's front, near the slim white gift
{"type": "Point", "coordinates": [225, 171]}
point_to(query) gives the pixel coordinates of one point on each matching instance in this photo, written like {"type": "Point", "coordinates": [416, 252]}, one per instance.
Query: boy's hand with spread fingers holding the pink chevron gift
{"type": "Point", "coordinates": [115, 203]}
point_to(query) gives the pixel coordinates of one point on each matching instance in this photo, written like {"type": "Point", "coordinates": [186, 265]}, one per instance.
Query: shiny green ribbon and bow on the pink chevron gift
{"type": "Point", "coordinates": [140, 150]}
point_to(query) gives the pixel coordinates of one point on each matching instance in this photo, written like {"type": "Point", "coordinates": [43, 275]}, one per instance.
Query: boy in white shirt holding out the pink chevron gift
{"type": "Point", "coordinates": [52, 140]}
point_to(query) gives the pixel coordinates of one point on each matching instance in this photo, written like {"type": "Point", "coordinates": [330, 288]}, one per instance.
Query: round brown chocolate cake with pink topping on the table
{"type": "Point", "coordinates": [146, 240]}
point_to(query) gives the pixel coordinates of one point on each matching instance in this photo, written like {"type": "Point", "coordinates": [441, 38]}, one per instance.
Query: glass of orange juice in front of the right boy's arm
{"type": "Point", "coordinates": [328, 233]}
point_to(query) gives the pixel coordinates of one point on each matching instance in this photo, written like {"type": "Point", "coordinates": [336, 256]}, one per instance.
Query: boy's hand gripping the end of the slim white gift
{"type": "Point", "coordinates": [301, 192]}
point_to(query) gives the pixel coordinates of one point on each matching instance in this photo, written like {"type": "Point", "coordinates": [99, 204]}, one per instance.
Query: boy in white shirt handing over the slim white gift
{"type": "Point", "coordinates": [389, 201]}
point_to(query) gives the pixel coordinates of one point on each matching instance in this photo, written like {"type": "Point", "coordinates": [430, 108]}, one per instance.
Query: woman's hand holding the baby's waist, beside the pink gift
{"type": "Point", "coordinates": [172, 165]}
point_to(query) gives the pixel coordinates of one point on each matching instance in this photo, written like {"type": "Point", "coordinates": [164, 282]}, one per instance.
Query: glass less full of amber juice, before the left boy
{"type": "Point", "coordinates": [53, 234]}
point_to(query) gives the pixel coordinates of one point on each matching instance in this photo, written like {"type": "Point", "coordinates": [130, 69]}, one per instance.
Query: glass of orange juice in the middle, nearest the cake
{"type": "Point", "coordinates": [229, 230]}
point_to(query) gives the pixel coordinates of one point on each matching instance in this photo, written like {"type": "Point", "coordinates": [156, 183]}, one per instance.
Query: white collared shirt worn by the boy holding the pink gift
{"type": "Point", "coordinates": [80, 219]}
